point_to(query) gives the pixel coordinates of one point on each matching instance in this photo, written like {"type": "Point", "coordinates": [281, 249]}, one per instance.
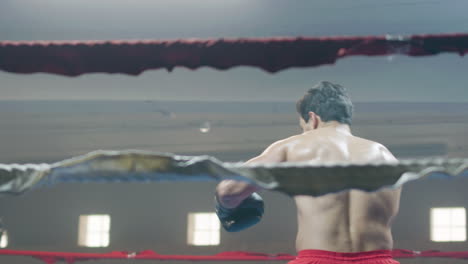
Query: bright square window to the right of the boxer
{"type": "Point", "coordinates": [448, 224]}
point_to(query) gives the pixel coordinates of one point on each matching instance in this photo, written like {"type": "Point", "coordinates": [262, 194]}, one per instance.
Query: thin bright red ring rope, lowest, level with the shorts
{"type": "Point", "coordinates": [53, 257]}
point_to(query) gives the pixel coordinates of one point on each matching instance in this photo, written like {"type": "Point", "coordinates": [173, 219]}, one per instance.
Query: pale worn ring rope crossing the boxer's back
{"type": "Point", "coordinates": [288, 178]}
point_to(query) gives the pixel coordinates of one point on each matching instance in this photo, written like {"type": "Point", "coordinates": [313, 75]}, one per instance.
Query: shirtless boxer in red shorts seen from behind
{"type": "Point", "coordinates": [346, 226]}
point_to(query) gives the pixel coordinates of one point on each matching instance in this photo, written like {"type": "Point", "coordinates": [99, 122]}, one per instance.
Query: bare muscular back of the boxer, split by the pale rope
{"type": "Point", "coordinates": [351, 221]}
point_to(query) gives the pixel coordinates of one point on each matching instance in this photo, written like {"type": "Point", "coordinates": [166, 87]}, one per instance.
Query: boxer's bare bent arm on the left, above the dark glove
{"type": "Point", "coordinates": [231, 193]}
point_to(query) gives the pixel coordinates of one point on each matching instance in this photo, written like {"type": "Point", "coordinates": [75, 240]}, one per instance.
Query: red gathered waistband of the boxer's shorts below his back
{"type": "Point", "coordinates": [314, 253]}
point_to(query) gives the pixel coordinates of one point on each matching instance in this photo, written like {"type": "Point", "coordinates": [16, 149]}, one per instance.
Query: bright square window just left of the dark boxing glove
{"type": "Point", "coordinates": [203, 229]}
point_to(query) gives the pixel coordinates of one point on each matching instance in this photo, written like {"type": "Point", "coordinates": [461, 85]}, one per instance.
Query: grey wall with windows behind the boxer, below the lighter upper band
{"type": "Point", "coordinates": [154, 216]}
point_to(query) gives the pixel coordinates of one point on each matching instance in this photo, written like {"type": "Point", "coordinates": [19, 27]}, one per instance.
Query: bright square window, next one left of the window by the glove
{"type": "Point", "coordinates": [94, 231]}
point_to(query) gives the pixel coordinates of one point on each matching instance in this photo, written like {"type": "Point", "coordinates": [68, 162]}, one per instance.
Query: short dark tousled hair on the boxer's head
{"type": "Point", "coordinates": [329, 101]}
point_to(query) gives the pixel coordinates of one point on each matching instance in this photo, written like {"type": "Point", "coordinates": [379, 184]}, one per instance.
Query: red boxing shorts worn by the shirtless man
{"type": "Point", "coordinates": [329, 257]}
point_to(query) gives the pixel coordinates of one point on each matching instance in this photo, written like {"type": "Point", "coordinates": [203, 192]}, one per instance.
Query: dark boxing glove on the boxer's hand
{"type": "Point", "coordinates": [247, 214]}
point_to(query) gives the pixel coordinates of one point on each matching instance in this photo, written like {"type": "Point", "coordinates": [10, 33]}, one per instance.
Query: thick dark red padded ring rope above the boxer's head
{"type": "Point", "coordinates": [73, 58]}
